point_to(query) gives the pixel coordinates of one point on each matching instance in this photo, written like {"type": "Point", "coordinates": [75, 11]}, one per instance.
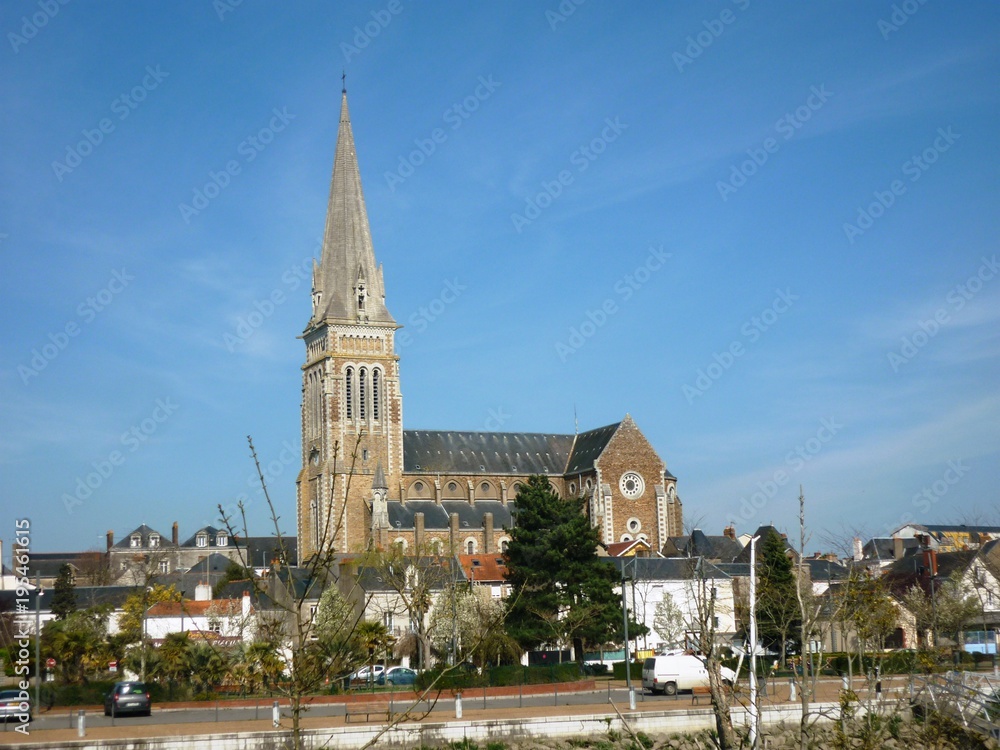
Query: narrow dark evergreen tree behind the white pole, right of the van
{"type": "Point", "coordinates": [778, 615]}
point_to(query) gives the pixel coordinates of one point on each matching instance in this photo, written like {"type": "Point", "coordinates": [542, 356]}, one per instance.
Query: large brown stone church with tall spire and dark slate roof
{"type": "Point", "coordinates": [366, 481]}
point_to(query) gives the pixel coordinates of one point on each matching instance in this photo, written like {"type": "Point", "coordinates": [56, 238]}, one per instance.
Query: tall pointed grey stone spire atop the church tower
{"type": "Point", "coordinates": [348, 285]}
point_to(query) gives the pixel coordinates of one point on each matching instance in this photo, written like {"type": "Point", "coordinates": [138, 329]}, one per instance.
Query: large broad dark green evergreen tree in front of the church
{"type": "Point", "coordinates": [562, 591]}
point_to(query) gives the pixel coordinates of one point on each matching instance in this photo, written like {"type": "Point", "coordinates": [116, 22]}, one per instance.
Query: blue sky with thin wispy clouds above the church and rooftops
{"type": "Point", "coordinates": [767, 231]}
